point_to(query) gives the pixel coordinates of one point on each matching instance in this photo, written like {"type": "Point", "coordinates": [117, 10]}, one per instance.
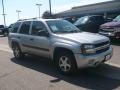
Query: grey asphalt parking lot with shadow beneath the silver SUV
{"type": "Point", "coordinates": [35, 73]}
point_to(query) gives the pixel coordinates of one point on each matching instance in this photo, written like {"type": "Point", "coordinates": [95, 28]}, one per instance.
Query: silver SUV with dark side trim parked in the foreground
{"type": "Point", "coordinates": [62, 42]}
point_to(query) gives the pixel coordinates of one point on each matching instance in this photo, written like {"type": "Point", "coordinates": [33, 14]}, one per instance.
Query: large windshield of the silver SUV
{"type": "Point", "coordinates": [62, 26]}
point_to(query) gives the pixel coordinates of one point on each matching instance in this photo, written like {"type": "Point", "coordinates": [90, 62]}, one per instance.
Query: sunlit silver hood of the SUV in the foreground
{"type": "Point", "coordinates": [83, 37]}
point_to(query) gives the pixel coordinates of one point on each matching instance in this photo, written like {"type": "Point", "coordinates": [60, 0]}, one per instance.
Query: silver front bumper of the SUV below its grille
{"type": "Point", "coordinates": [93, 60]}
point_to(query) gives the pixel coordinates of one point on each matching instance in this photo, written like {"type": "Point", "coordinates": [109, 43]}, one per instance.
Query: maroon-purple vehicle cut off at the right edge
{"type": "Point", "coordinates": [111, 29]}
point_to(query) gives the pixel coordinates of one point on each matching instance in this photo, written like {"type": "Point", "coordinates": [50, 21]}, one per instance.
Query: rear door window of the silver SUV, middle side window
{"type": "Point", "coordinates": [25, 27]}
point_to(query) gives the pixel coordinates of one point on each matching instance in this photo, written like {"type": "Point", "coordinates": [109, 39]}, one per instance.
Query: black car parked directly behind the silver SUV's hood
{"type": "Point", "coordinates": [90, 23]}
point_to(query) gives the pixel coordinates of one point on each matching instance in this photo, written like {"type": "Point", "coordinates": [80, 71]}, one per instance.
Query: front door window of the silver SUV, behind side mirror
{"type": "Point", "coordinates": [37, 26]}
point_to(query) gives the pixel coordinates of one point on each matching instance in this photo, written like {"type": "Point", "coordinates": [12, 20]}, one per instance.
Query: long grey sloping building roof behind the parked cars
{"type": "Point", "coordinates": [108, 9]}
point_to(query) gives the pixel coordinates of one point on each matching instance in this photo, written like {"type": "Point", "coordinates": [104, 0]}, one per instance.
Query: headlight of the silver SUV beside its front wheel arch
{"type": "Point", "coordinates": [88, 49]}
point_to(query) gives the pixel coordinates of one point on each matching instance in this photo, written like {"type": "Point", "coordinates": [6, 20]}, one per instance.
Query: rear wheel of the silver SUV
{"type": "Point", "coordinates": [17, 52]}
